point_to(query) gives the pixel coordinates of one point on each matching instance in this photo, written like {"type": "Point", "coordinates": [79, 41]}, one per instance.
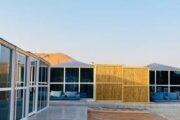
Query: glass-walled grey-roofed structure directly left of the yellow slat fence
{"type": "Point", "coordinates": [72, 80]}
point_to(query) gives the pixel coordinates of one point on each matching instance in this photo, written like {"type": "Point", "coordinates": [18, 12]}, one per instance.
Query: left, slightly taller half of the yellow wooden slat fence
{"type": "Point", "coordinates": [108, 82]}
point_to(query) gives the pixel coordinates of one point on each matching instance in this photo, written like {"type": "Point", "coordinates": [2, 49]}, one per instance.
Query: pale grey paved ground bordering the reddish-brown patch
{"type": "Point", "coordinates": [77, 110]}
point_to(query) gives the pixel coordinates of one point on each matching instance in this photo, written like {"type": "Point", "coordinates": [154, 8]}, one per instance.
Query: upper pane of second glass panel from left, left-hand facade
{"type": "Point", "coordinates": [21, 71]}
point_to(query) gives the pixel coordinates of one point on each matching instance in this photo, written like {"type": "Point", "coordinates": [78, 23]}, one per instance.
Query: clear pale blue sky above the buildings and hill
{"type": "Point", "coordinates": [131, 32]}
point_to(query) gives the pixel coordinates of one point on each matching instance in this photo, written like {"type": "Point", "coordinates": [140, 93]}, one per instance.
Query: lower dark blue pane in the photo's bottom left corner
{"type": "Point", "coordinates": [4, 105]}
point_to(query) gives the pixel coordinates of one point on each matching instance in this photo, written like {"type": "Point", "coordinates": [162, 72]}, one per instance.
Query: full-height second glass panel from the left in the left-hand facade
{"type": "Point", "coordinates": [20, 88]}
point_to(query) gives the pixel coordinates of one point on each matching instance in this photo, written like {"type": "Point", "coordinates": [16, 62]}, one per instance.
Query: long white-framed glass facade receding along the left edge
{"type": "Point", "coordinates": [24, 82]}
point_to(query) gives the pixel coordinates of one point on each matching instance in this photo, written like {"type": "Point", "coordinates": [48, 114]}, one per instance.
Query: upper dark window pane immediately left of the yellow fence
{"type": "Point", "coordinates": [86, 74]}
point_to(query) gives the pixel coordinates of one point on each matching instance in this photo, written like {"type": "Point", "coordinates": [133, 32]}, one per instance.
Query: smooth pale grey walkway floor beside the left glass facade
{"type": "Point", "coordinates": [62, 113]}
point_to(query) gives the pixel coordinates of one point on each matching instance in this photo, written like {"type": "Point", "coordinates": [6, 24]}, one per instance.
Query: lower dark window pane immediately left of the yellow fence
{"type": "Point", "coordinates": [86, 91]}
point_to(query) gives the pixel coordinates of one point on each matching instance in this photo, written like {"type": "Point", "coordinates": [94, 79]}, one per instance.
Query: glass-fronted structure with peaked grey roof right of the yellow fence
{"type": "Point", "coordinates": [164, 83]}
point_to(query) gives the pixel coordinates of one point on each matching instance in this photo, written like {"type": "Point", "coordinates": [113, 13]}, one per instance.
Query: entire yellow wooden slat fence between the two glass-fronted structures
{"type": "Point", "coordinates": [127, 84]}
